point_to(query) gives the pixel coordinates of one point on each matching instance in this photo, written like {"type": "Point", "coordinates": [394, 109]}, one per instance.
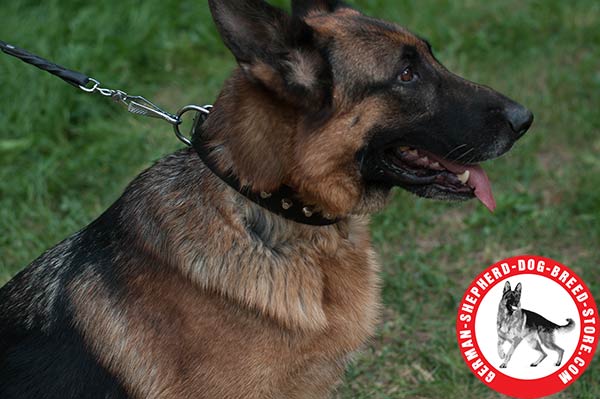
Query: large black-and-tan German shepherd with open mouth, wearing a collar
{"type": "Point", "coordinates": [185, 288]}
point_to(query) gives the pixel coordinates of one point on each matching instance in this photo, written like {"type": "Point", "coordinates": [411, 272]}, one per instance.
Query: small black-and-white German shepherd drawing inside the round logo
{"type": "Point", "coordinates": [516, 324]}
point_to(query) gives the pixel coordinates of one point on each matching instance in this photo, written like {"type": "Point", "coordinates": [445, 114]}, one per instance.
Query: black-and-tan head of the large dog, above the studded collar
{"type": "Point", "coordinates": [343, 107]}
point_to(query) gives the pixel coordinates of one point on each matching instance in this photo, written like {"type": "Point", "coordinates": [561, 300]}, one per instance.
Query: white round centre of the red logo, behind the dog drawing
{"type": "Point", "coordinates": [543, 297]}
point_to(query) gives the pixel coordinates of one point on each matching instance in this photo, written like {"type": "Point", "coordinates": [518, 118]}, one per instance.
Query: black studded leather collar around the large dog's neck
{"type": "Point", "coordinates": [283, 202]}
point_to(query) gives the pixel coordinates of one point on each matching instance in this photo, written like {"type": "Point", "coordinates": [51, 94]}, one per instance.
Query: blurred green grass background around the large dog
{"type": "Point", "coordinates": [65, 156]}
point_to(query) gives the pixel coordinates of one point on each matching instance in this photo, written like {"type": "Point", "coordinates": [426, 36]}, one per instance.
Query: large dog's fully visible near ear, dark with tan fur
{"type": "Point", "coordinates": [273, 48]}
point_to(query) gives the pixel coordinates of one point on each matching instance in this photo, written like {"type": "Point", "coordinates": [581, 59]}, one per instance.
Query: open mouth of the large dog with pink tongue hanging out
{"type": "Point", "coordinates": [430, 175]}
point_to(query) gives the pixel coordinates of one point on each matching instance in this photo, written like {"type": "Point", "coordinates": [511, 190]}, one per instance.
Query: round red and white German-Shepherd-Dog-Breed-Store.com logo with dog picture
{"type": "Point", "coordinates": [527, 327]}
